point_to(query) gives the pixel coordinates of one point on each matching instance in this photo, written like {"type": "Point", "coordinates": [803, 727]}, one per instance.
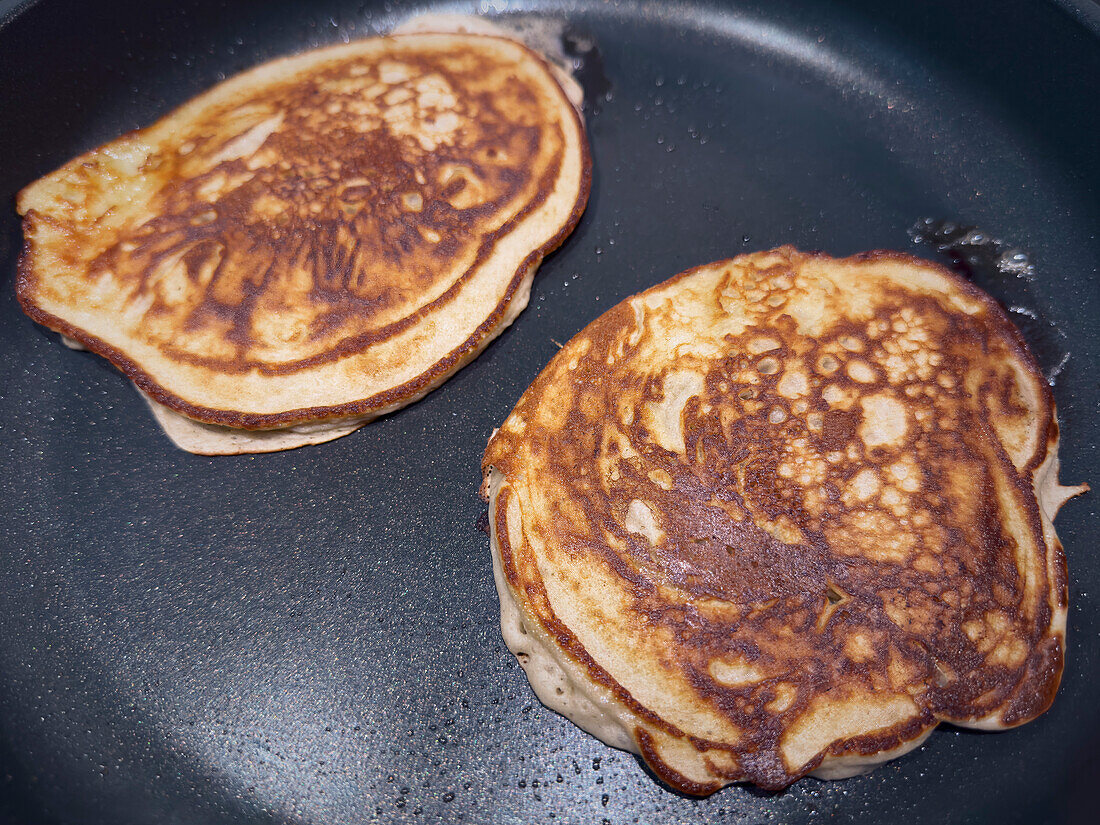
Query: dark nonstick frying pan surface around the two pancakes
{"type": "Point", "coordinates": [312, 636]}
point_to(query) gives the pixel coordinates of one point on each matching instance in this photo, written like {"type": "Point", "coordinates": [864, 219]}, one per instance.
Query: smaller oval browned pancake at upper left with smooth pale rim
{"type": "Point", "coordinates": [315, 243]}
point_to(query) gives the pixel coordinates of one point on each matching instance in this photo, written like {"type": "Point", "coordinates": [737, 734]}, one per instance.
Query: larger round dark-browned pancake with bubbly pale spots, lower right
{"type": "Point", "coordinates": [780, 516]}
